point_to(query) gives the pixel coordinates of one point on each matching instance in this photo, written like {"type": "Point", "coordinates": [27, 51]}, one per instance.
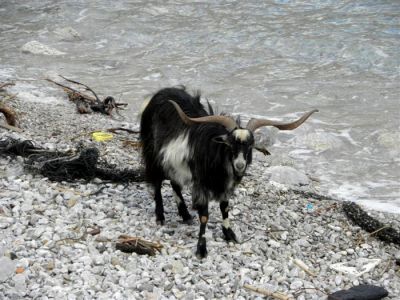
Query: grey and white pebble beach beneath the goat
{"type": "Point", "coordinates": [44, 224]}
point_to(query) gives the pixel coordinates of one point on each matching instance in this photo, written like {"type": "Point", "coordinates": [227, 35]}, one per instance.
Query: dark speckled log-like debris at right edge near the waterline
{"type": "Point", "coordinates": [361, 218]}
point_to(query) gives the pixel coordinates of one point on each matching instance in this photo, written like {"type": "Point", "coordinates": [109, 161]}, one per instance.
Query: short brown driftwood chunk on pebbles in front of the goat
{"type": "Point", "coordinates": [129, 244]}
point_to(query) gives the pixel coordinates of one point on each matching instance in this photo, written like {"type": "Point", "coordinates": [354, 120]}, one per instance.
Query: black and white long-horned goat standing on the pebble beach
{"type": "Point", "coordinates": [184, 143]}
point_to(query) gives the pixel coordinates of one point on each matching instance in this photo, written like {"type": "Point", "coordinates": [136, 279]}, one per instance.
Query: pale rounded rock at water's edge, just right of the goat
{"type": "Point", "coordinates": [287, 176]}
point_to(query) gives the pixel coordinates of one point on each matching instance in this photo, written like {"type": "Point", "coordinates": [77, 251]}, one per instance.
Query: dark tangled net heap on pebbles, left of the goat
{"type": "Point", "coordinates": [67, 166]}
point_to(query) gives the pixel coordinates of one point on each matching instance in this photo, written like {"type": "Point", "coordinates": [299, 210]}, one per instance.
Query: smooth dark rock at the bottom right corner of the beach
{"type": "Point", "coordinates": [360, 292]}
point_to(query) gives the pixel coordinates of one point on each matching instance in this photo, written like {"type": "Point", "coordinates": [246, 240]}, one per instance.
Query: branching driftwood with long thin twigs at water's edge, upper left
{"type": "Point", "coordinates": [86, 103]}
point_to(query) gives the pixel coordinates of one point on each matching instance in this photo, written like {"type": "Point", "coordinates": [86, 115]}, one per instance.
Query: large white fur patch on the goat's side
{"type": "Point", "coordinates": [175, 156]}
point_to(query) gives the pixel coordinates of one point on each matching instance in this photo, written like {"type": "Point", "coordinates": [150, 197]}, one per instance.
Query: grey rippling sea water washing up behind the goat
{"type": "Point", "coordinates": [266, 58]}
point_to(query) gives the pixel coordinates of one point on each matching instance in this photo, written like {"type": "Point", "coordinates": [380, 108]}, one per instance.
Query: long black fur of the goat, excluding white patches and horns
{"type": "Point", "coordinates": [212, 151]}
